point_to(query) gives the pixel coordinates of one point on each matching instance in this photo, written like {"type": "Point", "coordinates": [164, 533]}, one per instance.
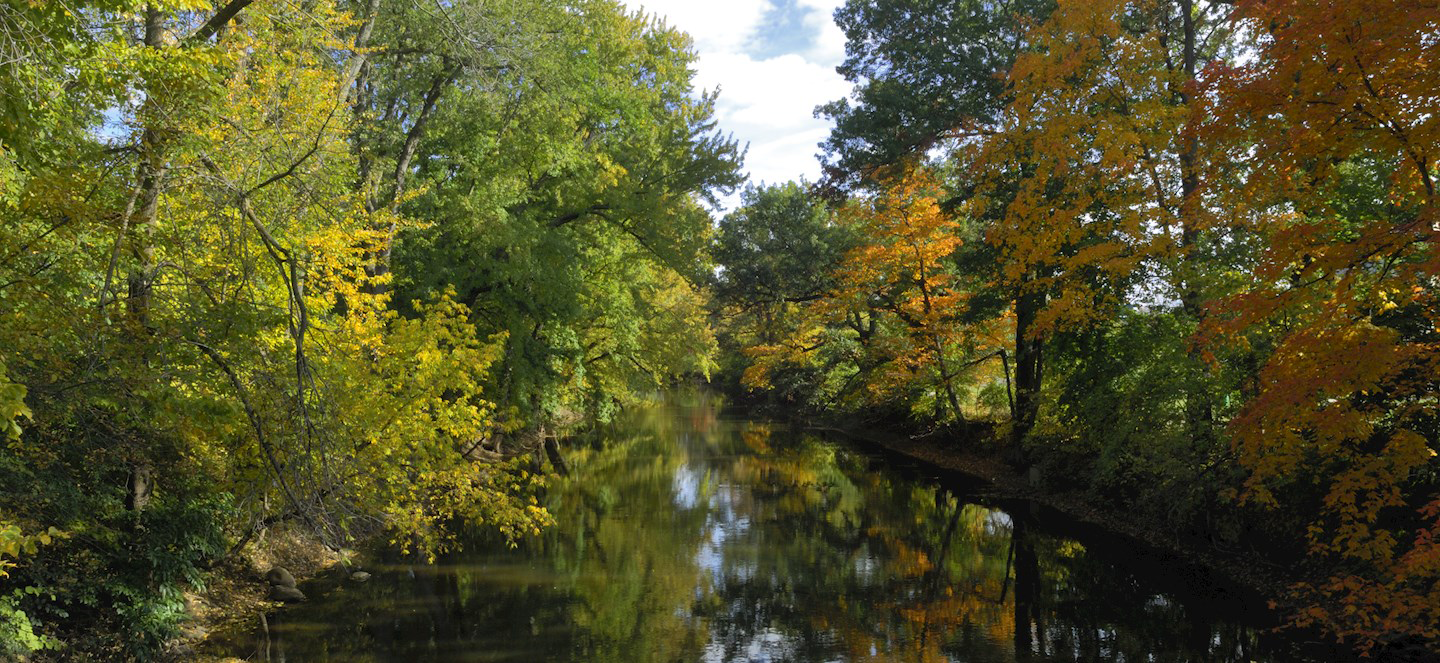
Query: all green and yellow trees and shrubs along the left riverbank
{"type": "Point", "coordinates": [329, 264]}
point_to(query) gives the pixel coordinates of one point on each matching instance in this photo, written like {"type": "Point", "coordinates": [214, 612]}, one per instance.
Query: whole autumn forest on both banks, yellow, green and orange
{"type": "Point", "coordinates": [352, 267]}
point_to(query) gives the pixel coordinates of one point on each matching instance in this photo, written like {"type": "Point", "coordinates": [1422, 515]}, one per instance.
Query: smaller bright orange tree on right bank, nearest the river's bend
{"type": "Point", "coordinates": [898, 308]}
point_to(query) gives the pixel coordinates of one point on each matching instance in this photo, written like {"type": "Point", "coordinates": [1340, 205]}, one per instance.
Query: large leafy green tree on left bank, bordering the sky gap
{"type": "Point", "coordinates": [564, 190]}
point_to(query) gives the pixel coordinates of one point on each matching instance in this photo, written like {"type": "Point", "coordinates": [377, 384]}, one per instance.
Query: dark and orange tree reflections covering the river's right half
{"type": "Point", "coordinates": [866, 567]}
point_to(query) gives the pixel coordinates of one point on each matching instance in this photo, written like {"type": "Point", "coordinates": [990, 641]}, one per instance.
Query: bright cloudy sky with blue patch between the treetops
{"type": "Point", "coordinates": [774, 61]}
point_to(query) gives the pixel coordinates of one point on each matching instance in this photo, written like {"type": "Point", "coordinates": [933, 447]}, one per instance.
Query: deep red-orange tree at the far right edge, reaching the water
{"type": "Point", "coordinates": [1336, 120]}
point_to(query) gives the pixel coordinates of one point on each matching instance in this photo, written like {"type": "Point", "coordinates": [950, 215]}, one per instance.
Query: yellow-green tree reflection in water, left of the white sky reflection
{"type": "Point", "coordinates": [626, 546]}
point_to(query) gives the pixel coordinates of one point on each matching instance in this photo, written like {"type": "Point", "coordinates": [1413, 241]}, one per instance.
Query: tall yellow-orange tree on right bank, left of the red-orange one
{"type": "Point", "coordinates": [1092, 172]}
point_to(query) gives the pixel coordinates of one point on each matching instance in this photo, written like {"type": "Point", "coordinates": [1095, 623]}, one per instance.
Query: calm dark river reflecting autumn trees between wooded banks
{"type": "Point", "coordinates": [686, 535]}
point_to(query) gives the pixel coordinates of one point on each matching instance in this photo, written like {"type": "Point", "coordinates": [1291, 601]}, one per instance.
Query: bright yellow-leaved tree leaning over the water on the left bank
{"type": "Point", "coordinates": [356, 416]}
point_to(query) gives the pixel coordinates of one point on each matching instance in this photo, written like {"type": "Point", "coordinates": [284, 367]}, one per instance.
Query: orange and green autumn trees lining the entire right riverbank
{"type": "Point", "coordinates": [1212, 231]}
